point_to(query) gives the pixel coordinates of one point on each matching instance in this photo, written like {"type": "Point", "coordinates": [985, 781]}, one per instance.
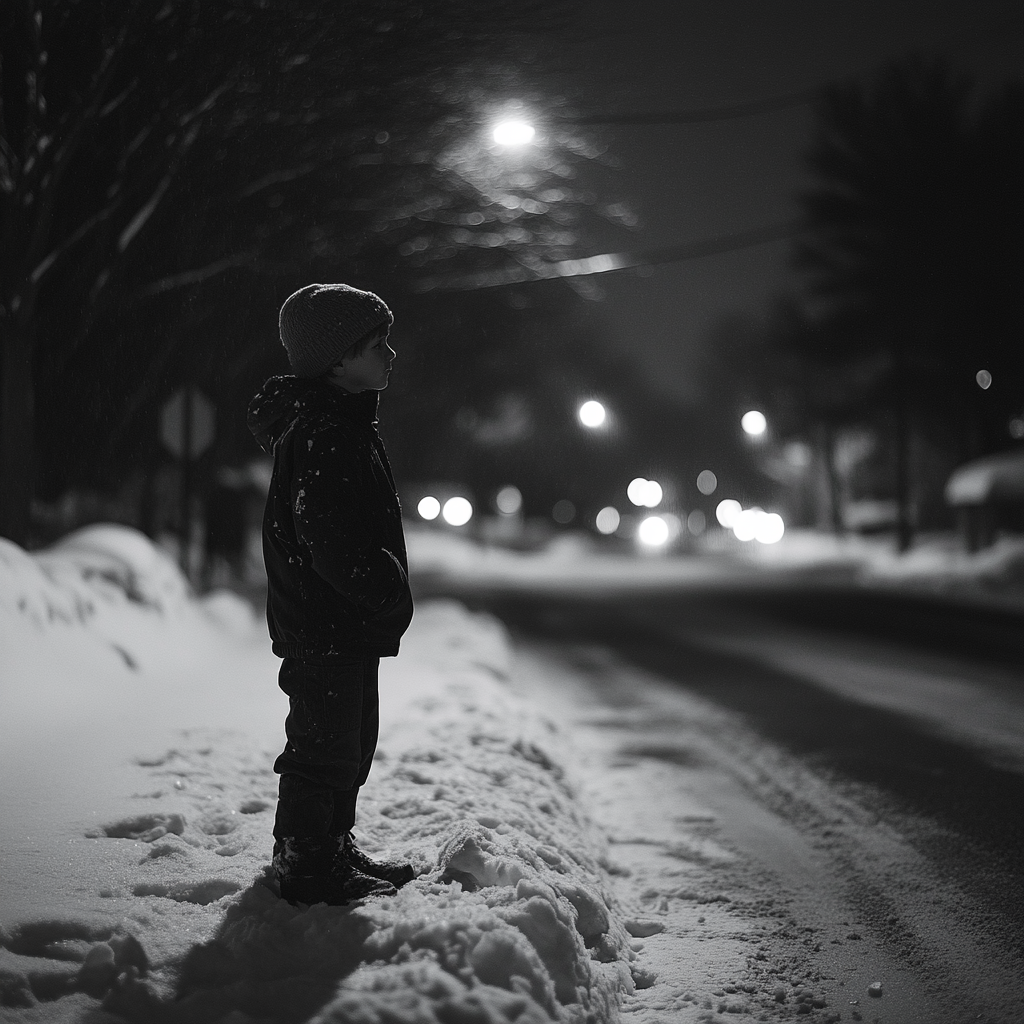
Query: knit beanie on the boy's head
{"type": "Point", "coordinates": [320, 323]}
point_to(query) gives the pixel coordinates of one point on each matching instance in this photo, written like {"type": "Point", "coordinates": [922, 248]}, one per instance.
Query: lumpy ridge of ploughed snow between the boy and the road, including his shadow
{"type": "Point", "coordinates": [509, 920]}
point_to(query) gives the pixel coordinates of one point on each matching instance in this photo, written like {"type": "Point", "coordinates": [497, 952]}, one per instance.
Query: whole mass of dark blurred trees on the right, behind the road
{"type": "Point", "coordinates": [911, 268]}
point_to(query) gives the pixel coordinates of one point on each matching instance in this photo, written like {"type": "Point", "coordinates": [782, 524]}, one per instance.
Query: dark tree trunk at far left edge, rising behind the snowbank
{"type": "Point", "coordinates": [17, 435]}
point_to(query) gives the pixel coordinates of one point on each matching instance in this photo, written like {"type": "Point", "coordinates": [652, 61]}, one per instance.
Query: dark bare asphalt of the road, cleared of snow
{"type": "Point", "coordinates": [960, 808]}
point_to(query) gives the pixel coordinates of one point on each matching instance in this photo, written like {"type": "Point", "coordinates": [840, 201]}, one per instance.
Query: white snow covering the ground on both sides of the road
{"type": "Point", "coordinates": [584, 854]}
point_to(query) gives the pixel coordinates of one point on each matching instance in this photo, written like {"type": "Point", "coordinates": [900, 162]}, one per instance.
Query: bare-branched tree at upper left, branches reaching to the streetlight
{"type": "Point", "coordinates": [147, 150]}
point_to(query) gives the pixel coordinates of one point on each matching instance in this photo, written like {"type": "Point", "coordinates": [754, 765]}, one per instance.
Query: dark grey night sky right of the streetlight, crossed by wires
{"type": "Point", "coordinates": [696, 182]}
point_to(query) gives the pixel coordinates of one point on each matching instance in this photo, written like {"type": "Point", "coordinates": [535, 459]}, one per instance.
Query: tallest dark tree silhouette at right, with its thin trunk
{"type": "Point", "coordinates": [912, 249]}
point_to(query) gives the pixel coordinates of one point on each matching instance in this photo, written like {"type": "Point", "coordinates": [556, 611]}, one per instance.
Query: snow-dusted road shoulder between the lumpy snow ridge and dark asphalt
{"type": "Point", "coordinates": [753, 887]}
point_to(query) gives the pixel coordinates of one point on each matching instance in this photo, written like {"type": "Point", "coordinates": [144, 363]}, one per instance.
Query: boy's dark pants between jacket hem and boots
{"type": "Point", "coordinates": [332, 728]}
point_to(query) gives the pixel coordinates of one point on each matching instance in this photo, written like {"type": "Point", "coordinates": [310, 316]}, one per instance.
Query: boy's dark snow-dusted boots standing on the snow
{"type": "Point", "coordinates": [309, 873]}
